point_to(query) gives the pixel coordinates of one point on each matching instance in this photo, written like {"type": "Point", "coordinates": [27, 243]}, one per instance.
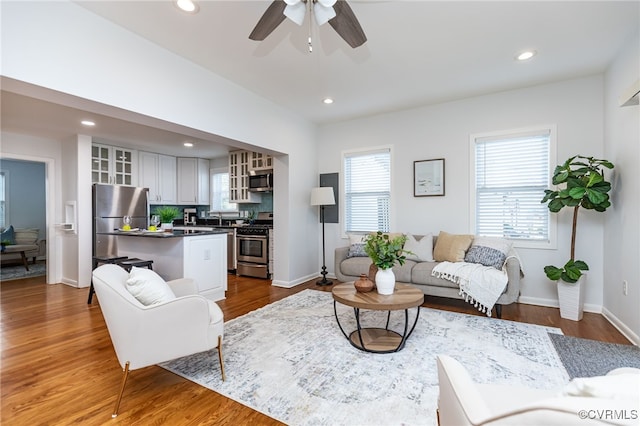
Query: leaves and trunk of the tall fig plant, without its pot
{"type": "Point", "coordinates": [581, 183]}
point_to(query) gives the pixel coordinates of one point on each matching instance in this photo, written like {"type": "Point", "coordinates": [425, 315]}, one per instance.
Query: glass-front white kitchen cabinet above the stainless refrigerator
{"type": "Point", "coordinates": [113, 165]}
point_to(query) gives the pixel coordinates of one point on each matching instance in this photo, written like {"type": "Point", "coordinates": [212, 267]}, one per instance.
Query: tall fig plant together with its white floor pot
{"type": "Point", "coordinates": [582, 184]}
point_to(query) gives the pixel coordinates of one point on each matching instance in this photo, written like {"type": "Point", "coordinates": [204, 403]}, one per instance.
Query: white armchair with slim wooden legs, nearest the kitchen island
{"type": "Point", "coordinates": [147, 335]}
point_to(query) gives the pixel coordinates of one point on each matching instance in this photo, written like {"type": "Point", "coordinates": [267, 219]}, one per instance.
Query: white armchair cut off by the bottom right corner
{"type": "Point", "coordinates": [463, 402]}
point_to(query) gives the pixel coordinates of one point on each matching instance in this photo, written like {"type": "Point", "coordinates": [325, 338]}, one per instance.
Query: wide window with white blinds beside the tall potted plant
{"type": "Point", "coordinates": [511, 170]}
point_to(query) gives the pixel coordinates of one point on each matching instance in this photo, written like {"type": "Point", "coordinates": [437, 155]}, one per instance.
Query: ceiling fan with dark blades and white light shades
{"type": "Point", "coordinates": [337, 12]}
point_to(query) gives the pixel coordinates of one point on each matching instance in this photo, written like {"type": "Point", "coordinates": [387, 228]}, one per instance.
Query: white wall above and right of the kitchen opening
{"type": "Point", "coordinates": [93, 59]}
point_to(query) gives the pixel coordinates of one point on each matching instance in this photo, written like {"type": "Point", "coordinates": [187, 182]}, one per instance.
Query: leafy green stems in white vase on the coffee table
{"type": "Point", "coordinates": [385, 252]}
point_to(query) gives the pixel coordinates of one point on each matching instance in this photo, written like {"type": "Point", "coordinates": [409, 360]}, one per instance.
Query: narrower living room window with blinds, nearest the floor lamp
{"type": "Point", "coordinates": [367, 186]}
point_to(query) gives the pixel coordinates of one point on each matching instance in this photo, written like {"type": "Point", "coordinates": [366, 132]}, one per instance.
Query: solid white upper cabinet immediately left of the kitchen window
{"type": "Point", "coordinates": [193, 181]}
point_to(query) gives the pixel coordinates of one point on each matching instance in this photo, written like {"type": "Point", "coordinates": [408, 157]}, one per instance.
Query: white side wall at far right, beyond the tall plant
{"type": "Point", "coordinates": [622, 227]}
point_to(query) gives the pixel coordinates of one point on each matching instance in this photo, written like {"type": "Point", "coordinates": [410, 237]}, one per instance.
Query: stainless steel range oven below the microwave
{"type": "Point", "coordinates": [252, 247]}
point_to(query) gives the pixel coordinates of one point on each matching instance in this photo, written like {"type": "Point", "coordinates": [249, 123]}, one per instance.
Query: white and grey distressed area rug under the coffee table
{"type": "Point", "coordinates": [290, 361]}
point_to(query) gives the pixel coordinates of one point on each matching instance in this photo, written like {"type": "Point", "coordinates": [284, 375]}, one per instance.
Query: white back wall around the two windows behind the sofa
{"type": "Point", "coordinates": [442, 131]}
